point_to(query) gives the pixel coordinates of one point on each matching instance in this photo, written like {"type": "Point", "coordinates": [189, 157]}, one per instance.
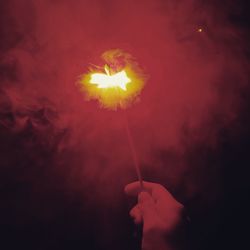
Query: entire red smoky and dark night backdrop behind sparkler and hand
{"type": "Point", "coordinates": [64, 160]}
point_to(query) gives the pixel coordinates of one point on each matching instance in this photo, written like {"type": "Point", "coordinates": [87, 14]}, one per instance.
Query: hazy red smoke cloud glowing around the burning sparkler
{"type": "Point", "coordinates": [195, 61]}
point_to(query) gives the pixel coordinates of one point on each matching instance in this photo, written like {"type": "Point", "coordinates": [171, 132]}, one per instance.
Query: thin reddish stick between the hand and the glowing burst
{"type": "Point", "coordinates": [133, 151]}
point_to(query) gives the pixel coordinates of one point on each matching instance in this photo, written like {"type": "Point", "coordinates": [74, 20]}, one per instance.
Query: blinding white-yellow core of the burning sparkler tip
{"type": "Point", "coordinates": [107, 80]}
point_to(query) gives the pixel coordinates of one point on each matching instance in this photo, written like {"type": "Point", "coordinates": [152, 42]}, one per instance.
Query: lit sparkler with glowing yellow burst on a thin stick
{"type": "Point", "coordinates": [116, 85]}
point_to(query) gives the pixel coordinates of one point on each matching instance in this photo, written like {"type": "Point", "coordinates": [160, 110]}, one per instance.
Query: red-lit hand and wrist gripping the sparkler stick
{"type": "Point", "coordinates": [159, 212]}
